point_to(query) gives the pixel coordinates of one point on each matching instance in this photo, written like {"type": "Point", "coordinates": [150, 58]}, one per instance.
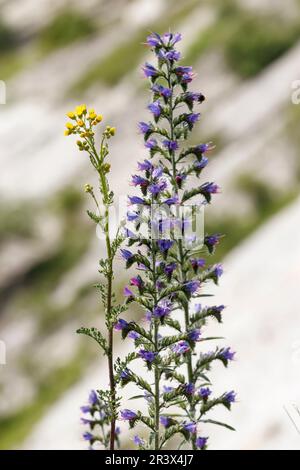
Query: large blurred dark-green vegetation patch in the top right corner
{"type": "Point", "coordinates": [250, 41]}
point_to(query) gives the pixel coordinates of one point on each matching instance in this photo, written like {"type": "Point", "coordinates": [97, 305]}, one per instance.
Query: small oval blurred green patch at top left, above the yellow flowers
{"type": "Point", "coordinates": [66, 27]}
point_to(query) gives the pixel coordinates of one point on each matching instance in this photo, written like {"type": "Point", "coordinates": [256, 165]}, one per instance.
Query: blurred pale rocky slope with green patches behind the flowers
{"type": "Point", "coordinates": [58, 53]}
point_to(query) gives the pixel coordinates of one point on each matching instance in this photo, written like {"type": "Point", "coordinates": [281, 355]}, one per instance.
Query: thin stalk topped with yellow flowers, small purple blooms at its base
{"type": "Point", "coordinates": [103, 405]}
